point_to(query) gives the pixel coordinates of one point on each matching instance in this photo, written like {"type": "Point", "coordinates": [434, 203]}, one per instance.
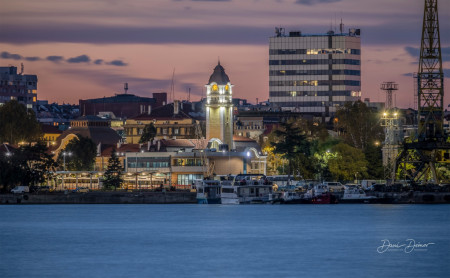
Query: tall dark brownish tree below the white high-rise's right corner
{"type": "Point", "coordinates": [358, 125]}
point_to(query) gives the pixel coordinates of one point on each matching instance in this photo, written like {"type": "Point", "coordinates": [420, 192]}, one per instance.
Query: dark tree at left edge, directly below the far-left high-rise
{"type": "Point", "coordinates": [17, 123]}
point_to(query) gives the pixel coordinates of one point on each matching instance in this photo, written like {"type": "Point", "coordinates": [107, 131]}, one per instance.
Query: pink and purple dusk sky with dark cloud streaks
{"type": "Point", "coordinates": [82, 49]}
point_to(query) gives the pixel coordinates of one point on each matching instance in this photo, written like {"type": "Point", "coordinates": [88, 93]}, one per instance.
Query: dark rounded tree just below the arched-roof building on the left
{"type": "Point", "coordinates": [83, 152]}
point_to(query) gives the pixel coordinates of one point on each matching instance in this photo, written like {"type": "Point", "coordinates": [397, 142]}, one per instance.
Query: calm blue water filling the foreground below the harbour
{"type": "Point", "coordinates": [222, 241]}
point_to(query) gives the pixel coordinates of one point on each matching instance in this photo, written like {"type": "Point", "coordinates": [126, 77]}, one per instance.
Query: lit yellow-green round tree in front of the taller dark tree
{"type": "Point", "coordinates": [347, 163]}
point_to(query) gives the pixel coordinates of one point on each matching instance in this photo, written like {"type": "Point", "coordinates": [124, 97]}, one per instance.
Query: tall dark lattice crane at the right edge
{"type": "Point", "coordinates": [420, 154]}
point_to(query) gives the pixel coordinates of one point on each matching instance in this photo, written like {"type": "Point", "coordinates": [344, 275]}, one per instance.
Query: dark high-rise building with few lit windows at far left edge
{"type": "Point", "coordinates": [18, 86]}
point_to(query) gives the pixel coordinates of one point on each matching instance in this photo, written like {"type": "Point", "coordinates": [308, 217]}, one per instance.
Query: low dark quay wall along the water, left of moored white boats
{"type": "Point", "coordinates": [101, 198]}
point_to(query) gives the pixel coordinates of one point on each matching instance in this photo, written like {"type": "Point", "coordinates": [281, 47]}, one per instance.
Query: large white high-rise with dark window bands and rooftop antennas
{"type": "Point", "coordinates": [314, 73]}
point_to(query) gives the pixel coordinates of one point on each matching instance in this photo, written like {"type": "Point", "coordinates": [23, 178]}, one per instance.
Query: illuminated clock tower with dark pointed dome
{"type": "Point", "coordinates": [219, 107]}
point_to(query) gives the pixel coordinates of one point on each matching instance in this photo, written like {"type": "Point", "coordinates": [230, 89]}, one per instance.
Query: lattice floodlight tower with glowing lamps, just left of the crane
{"type": "Point", "coordinates": [392, 137]}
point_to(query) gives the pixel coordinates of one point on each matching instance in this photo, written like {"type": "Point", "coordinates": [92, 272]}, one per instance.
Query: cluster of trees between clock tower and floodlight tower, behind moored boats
{"type": "Point", "coordinates": [349, 151]}
